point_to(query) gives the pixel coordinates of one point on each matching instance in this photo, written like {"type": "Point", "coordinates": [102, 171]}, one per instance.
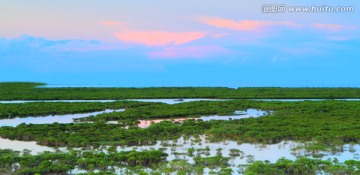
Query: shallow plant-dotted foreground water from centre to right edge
{"type": "Point", "coordinates": [178, 150]}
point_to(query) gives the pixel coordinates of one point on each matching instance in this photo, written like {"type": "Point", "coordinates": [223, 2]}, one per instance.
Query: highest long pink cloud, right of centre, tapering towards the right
{"type": "Point", "coordinates": [245, 25]}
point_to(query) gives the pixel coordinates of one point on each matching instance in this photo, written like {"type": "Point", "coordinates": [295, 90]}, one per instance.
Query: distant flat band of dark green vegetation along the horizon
{"type": "Point", "coordinates": [28, 91]}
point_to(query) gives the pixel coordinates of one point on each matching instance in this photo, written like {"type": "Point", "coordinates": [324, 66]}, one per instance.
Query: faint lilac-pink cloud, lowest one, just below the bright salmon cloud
{"type": "Point", "coordinates": [187, 52]}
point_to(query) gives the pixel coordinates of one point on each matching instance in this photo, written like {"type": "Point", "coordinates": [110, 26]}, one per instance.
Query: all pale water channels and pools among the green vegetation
{"type": "Point", "coordinates": [178, 149]}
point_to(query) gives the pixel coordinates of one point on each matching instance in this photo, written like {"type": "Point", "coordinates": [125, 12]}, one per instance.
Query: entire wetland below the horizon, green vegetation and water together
{"type": "Point", "coordinates": [178, 130]}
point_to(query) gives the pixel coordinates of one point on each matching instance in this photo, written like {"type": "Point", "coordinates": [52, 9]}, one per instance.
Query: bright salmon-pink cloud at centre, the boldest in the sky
{"type": "Point", "coordinates": [159, 38]}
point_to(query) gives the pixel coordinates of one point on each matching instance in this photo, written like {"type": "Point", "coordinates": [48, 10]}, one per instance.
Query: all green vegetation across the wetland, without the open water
{"type": "Point", "coordinates": [321, 126]}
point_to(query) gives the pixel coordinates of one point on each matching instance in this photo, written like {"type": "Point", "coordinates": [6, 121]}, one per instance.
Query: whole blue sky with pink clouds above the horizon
{"type": "Point", "coordinates": [228, 43]}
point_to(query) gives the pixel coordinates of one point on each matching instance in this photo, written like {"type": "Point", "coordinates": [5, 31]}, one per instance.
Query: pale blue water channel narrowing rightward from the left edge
{"type": "Point", "coordinates": [68, 118]}
